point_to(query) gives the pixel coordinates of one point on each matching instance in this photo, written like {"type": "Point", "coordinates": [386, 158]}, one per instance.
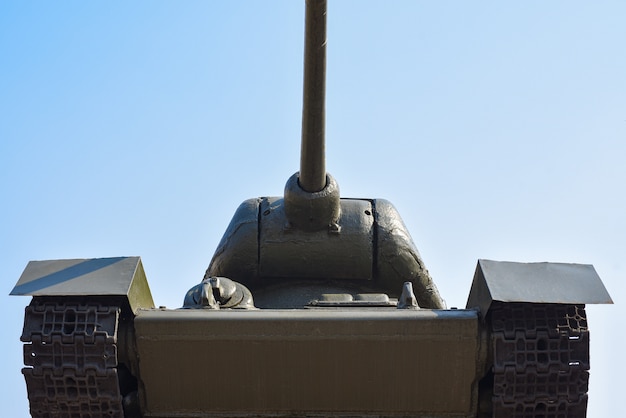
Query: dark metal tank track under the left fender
{"type": "Point", "coordinates": [70, 354]}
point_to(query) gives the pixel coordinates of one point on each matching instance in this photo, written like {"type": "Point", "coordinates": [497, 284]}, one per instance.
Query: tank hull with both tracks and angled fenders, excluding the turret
{"type": "Point", "coordinates": [517, 350]}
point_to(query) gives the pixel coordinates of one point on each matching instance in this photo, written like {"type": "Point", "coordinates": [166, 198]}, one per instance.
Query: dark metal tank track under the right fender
{"type": "Point", "coordinates": [540, 360]}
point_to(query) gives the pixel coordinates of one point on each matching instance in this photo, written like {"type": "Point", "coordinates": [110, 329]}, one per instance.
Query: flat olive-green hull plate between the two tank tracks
{"type": "Point", "coordinates": [315, 362]}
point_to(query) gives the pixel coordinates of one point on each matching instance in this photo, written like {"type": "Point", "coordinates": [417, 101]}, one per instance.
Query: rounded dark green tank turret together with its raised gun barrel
{"type": "Point", "coordinates": [311, 238]}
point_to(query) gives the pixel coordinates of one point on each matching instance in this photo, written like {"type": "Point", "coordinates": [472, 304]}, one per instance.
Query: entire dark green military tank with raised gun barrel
{"type": "Point", "coordinates": [312, 305]}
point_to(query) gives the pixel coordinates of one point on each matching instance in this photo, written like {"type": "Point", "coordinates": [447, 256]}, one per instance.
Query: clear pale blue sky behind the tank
{"type": "Point", "coordinates": [498, 129]}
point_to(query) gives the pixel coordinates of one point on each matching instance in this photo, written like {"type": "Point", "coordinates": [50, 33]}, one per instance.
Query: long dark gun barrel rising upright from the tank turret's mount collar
{"type": "Point", "coordinates": [312, 155]}
